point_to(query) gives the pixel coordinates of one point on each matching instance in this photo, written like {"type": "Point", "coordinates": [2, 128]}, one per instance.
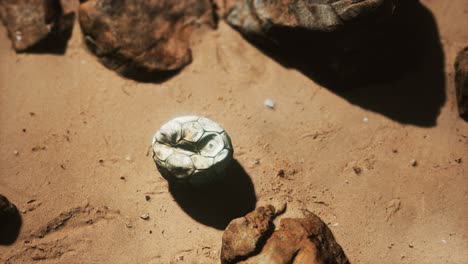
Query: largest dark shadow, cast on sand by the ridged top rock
{"type": "Point", "coordinates": [395, 69]}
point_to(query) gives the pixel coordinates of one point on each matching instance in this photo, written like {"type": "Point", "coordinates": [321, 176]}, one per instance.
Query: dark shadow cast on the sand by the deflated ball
{"type": "Point", "coordinates": [217, 204]}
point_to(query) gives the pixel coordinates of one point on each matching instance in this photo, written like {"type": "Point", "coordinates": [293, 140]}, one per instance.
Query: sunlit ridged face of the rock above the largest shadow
{"type": "Point", "coordinates": [262, 16]}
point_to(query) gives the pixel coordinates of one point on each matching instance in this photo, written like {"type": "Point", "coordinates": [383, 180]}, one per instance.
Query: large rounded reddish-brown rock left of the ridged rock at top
{"type": "Point", "coordinates": [134, 37]}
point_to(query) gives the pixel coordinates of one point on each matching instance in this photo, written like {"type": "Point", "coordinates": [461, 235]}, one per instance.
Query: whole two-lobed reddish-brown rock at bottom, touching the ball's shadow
{"type": "Point", "coordinates": [298, 241]}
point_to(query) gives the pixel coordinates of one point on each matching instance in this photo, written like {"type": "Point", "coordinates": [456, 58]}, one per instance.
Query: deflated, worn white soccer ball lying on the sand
{"type": "Point", "coordinates": [193, 150]}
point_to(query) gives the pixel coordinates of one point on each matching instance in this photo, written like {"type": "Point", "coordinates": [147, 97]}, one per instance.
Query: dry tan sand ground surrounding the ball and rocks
{"type": "Point", "coordinates": [83, 167]}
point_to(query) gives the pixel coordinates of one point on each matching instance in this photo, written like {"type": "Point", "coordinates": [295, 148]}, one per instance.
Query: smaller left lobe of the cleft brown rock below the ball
{"type": "Point", "coordinates": [242, 236]}
